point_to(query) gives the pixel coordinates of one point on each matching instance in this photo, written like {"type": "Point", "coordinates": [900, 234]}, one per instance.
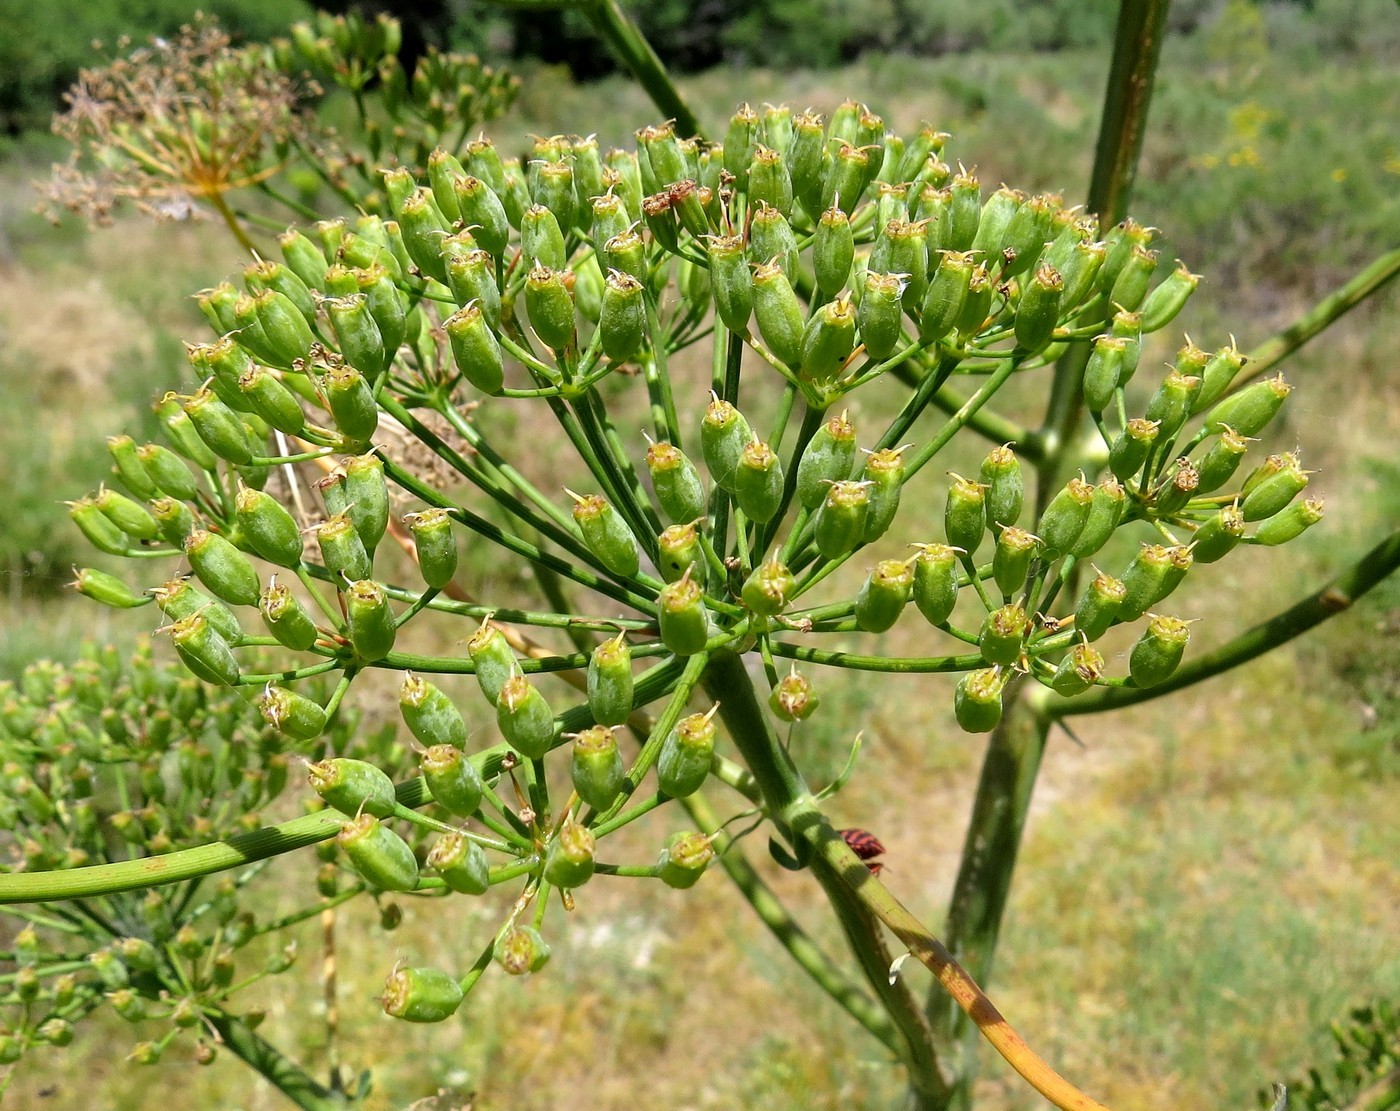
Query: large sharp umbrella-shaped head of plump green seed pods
{"type": "Point", "coordinates": [829, 257]}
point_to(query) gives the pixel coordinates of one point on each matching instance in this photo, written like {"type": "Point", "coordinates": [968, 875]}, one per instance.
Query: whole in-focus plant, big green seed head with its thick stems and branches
{"type": "Point", "coordinates": [743, 369]}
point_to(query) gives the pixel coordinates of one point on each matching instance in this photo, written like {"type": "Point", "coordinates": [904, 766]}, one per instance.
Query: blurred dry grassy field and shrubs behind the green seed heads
{"type": "Point", "coordinates": [1206, 885]}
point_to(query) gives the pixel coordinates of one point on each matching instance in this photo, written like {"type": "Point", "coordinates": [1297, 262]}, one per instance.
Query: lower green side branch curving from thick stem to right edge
{"type": "Point", "coordinates": [1338, 597]}
